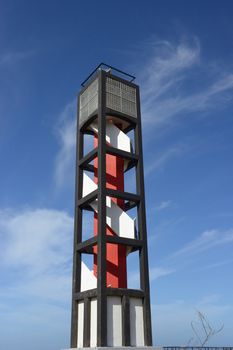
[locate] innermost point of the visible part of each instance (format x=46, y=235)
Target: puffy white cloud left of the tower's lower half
x=36, y=239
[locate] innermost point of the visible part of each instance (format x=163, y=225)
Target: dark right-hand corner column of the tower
x=144, y=268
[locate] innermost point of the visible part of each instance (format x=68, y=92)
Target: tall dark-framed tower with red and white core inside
x=105, y=312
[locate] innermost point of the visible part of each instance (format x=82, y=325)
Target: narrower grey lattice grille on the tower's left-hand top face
x=88, y=101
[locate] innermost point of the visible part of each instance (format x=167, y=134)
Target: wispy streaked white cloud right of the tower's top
x=165, y=92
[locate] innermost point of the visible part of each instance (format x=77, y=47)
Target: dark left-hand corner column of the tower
x=77, y=233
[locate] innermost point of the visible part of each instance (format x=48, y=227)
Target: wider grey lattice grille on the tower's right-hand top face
x=121, y=97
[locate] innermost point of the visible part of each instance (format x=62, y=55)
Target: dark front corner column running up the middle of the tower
x=101, y=250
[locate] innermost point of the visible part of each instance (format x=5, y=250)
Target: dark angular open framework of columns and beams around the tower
x=131, y=200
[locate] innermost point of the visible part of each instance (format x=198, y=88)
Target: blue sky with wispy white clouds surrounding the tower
x=182, y=54
